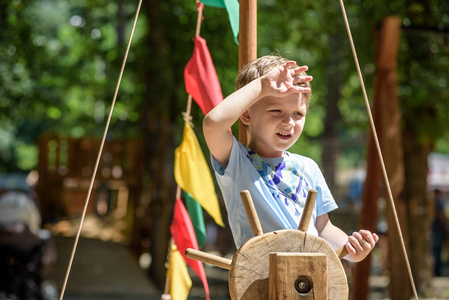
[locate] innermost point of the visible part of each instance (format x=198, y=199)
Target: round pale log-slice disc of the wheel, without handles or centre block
x=248, y=278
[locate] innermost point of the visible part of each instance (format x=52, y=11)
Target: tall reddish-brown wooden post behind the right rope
x=387, y=88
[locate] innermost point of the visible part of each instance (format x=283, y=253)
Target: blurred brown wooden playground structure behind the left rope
x=65, y=165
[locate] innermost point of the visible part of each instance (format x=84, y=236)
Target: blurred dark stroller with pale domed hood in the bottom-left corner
x=22, y=245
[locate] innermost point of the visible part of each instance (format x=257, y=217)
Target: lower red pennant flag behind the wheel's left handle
x=184, y=236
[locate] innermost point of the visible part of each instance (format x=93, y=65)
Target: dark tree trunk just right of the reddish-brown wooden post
x=418, y=143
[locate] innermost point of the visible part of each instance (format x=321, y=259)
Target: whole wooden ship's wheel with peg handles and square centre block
x=283, y=264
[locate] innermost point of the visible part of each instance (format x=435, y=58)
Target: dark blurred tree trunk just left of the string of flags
x=158, y=122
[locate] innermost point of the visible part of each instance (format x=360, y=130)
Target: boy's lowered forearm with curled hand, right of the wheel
x=359, y=244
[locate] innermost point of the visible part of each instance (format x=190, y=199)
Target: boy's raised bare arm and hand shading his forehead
x=280, y=81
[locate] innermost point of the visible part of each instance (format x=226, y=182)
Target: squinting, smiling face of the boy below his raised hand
x=275, y=124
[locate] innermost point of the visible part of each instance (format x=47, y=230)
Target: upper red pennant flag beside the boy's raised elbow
x=201, y=79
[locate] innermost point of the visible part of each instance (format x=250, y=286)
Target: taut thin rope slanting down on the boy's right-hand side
x=379, y=152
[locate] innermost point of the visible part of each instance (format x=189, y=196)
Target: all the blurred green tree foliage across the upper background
x=59, y=64
